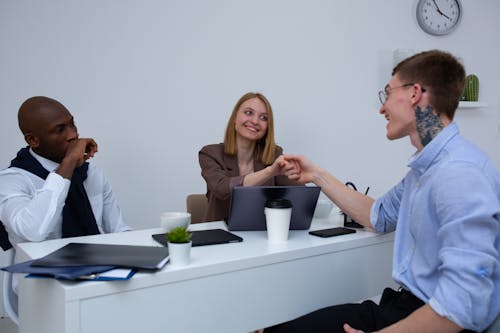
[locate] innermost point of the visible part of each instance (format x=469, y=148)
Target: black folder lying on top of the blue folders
x=127, y=256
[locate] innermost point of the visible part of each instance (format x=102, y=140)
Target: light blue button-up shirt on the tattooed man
x=447, y=214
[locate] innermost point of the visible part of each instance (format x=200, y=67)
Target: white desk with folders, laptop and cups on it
x=236, y=287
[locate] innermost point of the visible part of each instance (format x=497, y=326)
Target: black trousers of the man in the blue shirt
x=366, y=316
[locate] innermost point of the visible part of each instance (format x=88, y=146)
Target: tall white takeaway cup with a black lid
x=278, y=213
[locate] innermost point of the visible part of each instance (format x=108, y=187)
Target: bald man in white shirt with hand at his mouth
x=50, y=190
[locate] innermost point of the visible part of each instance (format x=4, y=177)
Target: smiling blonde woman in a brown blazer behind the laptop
x=249, y=155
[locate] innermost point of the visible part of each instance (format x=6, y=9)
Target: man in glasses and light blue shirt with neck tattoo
x=445, y=211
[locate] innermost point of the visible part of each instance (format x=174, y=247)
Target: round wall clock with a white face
x=438, y=17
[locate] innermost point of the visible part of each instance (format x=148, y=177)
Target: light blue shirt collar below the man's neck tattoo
x=427, y=156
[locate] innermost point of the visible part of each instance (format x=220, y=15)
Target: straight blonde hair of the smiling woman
x=265, y=147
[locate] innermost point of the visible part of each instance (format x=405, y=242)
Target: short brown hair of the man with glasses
x=440, y=73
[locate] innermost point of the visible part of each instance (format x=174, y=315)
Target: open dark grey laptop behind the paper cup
x=247, y=206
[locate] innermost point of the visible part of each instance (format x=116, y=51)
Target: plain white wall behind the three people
x=154, y=81
